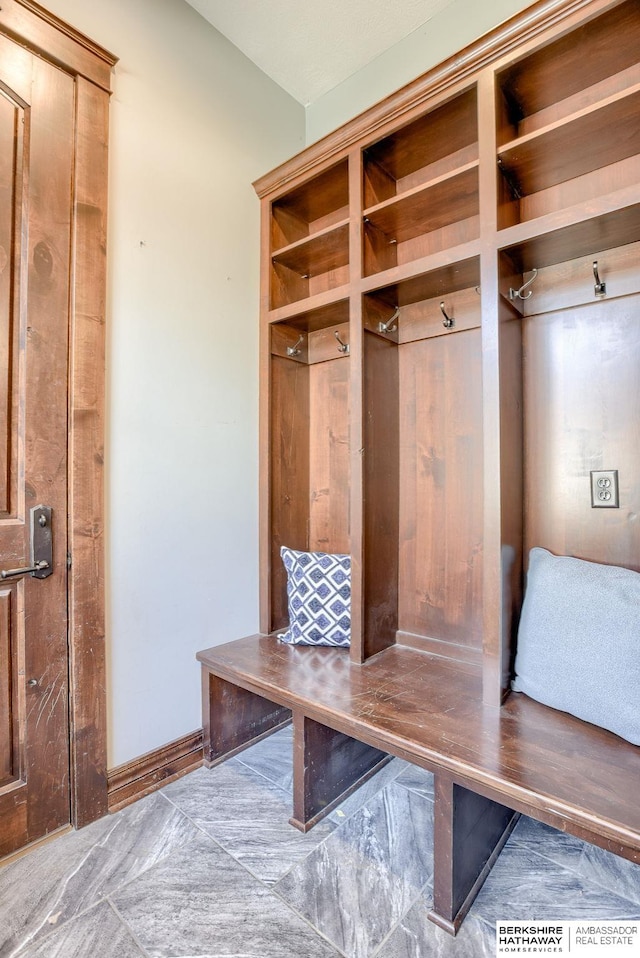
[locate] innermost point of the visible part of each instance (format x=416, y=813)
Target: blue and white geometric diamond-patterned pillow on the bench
x=319, y=595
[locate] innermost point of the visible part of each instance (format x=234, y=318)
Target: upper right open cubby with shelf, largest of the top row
x=567, y=119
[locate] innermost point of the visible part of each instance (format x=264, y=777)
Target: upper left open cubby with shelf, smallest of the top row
x=310, y=238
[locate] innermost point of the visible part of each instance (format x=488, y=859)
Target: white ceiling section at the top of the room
x=310, y=46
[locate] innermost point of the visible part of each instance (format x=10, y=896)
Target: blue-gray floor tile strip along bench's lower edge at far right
x=590, y=862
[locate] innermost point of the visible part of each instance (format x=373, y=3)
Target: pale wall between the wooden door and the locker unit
x=193, y=122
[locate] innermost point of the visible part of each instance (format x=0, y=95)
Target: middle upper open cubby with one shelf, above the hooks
x=421, y=186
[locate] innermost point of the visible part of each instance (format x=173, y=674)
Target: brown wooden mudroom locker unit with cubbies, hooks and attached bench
x=450, y=332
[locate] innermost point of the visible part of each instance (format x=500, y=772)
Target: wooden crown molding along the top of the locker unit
x=481, y=53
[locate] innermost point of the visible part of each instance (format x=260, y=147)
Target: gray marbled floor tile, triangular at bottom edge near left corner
x=98, y=933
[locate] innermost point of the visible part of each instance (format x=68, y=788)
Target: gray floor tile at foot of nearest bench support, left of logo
x=417, y=937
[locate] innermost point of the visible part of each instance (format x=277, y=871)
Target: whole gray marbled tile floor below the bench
x=209, y=867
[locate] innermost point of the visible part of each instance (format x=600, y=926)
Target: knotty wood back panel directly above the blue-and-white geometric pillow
x=329, y=456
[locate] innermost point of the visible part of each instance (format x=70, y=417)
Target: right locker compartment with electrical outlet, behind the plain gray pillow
x=575, y=403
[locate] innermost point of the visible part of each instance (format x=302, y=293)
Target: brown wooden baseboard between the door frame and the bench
x=141, y=776
